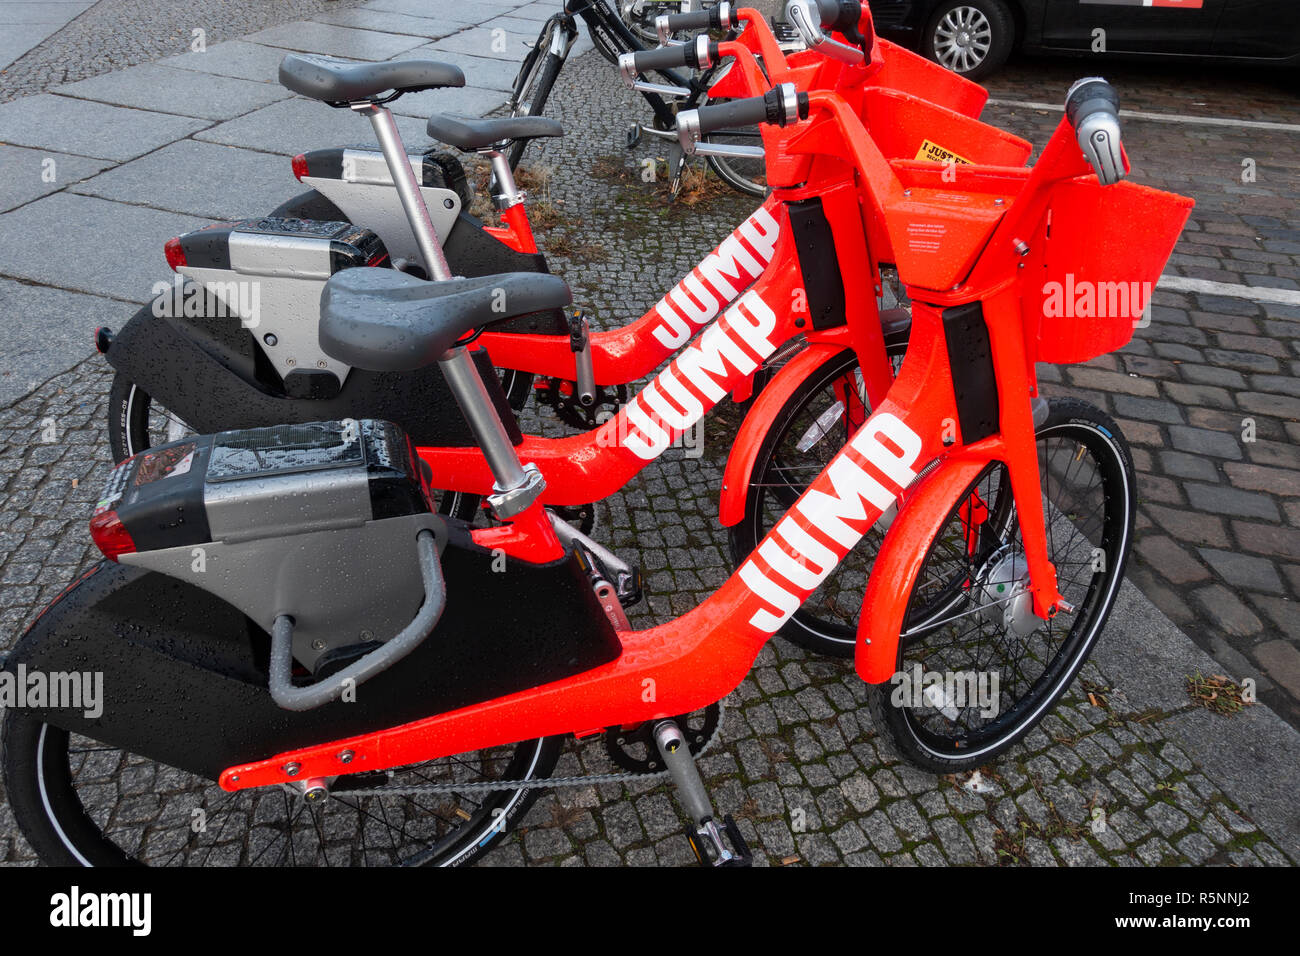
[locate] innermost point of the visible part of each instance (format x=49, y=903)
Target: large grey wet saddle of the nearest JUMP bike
x=385, y=321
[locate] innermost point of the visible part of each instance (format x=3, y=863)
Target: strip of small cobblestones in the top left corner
x=114, y=34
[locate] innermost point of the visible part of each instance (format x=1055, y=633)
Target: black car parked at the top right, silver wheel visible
x=976, y=37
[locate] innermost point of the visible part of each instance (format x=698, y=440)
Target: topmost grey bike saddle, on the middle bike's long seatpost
x=341, y=81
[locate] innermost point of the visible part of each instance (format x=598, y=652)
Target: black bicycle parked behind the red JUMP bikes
x=613, y=37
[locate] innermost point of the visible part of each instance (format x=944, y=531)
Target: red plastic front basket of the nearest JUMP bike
x=1095, y=262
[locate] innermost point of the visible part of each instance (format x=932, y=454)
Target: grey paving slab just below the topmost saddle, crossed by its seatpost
x=297, y=126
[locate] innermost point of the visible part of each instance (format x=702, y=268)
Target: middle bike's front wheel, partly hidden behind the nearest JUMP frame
x=805, y=435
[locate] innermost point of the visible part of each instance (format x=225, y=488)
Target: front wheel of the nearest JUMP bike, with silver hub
x=969, y=621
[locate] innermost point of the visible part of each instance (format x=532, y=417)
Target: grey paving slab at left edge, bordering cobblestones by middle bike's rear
x=33, y=351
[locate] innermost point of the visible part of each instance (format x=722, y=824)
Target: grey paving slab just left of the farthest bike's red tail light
x=219, y=183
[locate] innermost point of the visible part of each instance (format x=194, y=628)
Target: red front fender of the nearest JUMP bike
x=899, y=564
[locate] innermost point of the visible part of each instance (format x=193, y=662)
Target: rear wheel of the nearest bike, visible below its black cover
x=44, y=768
